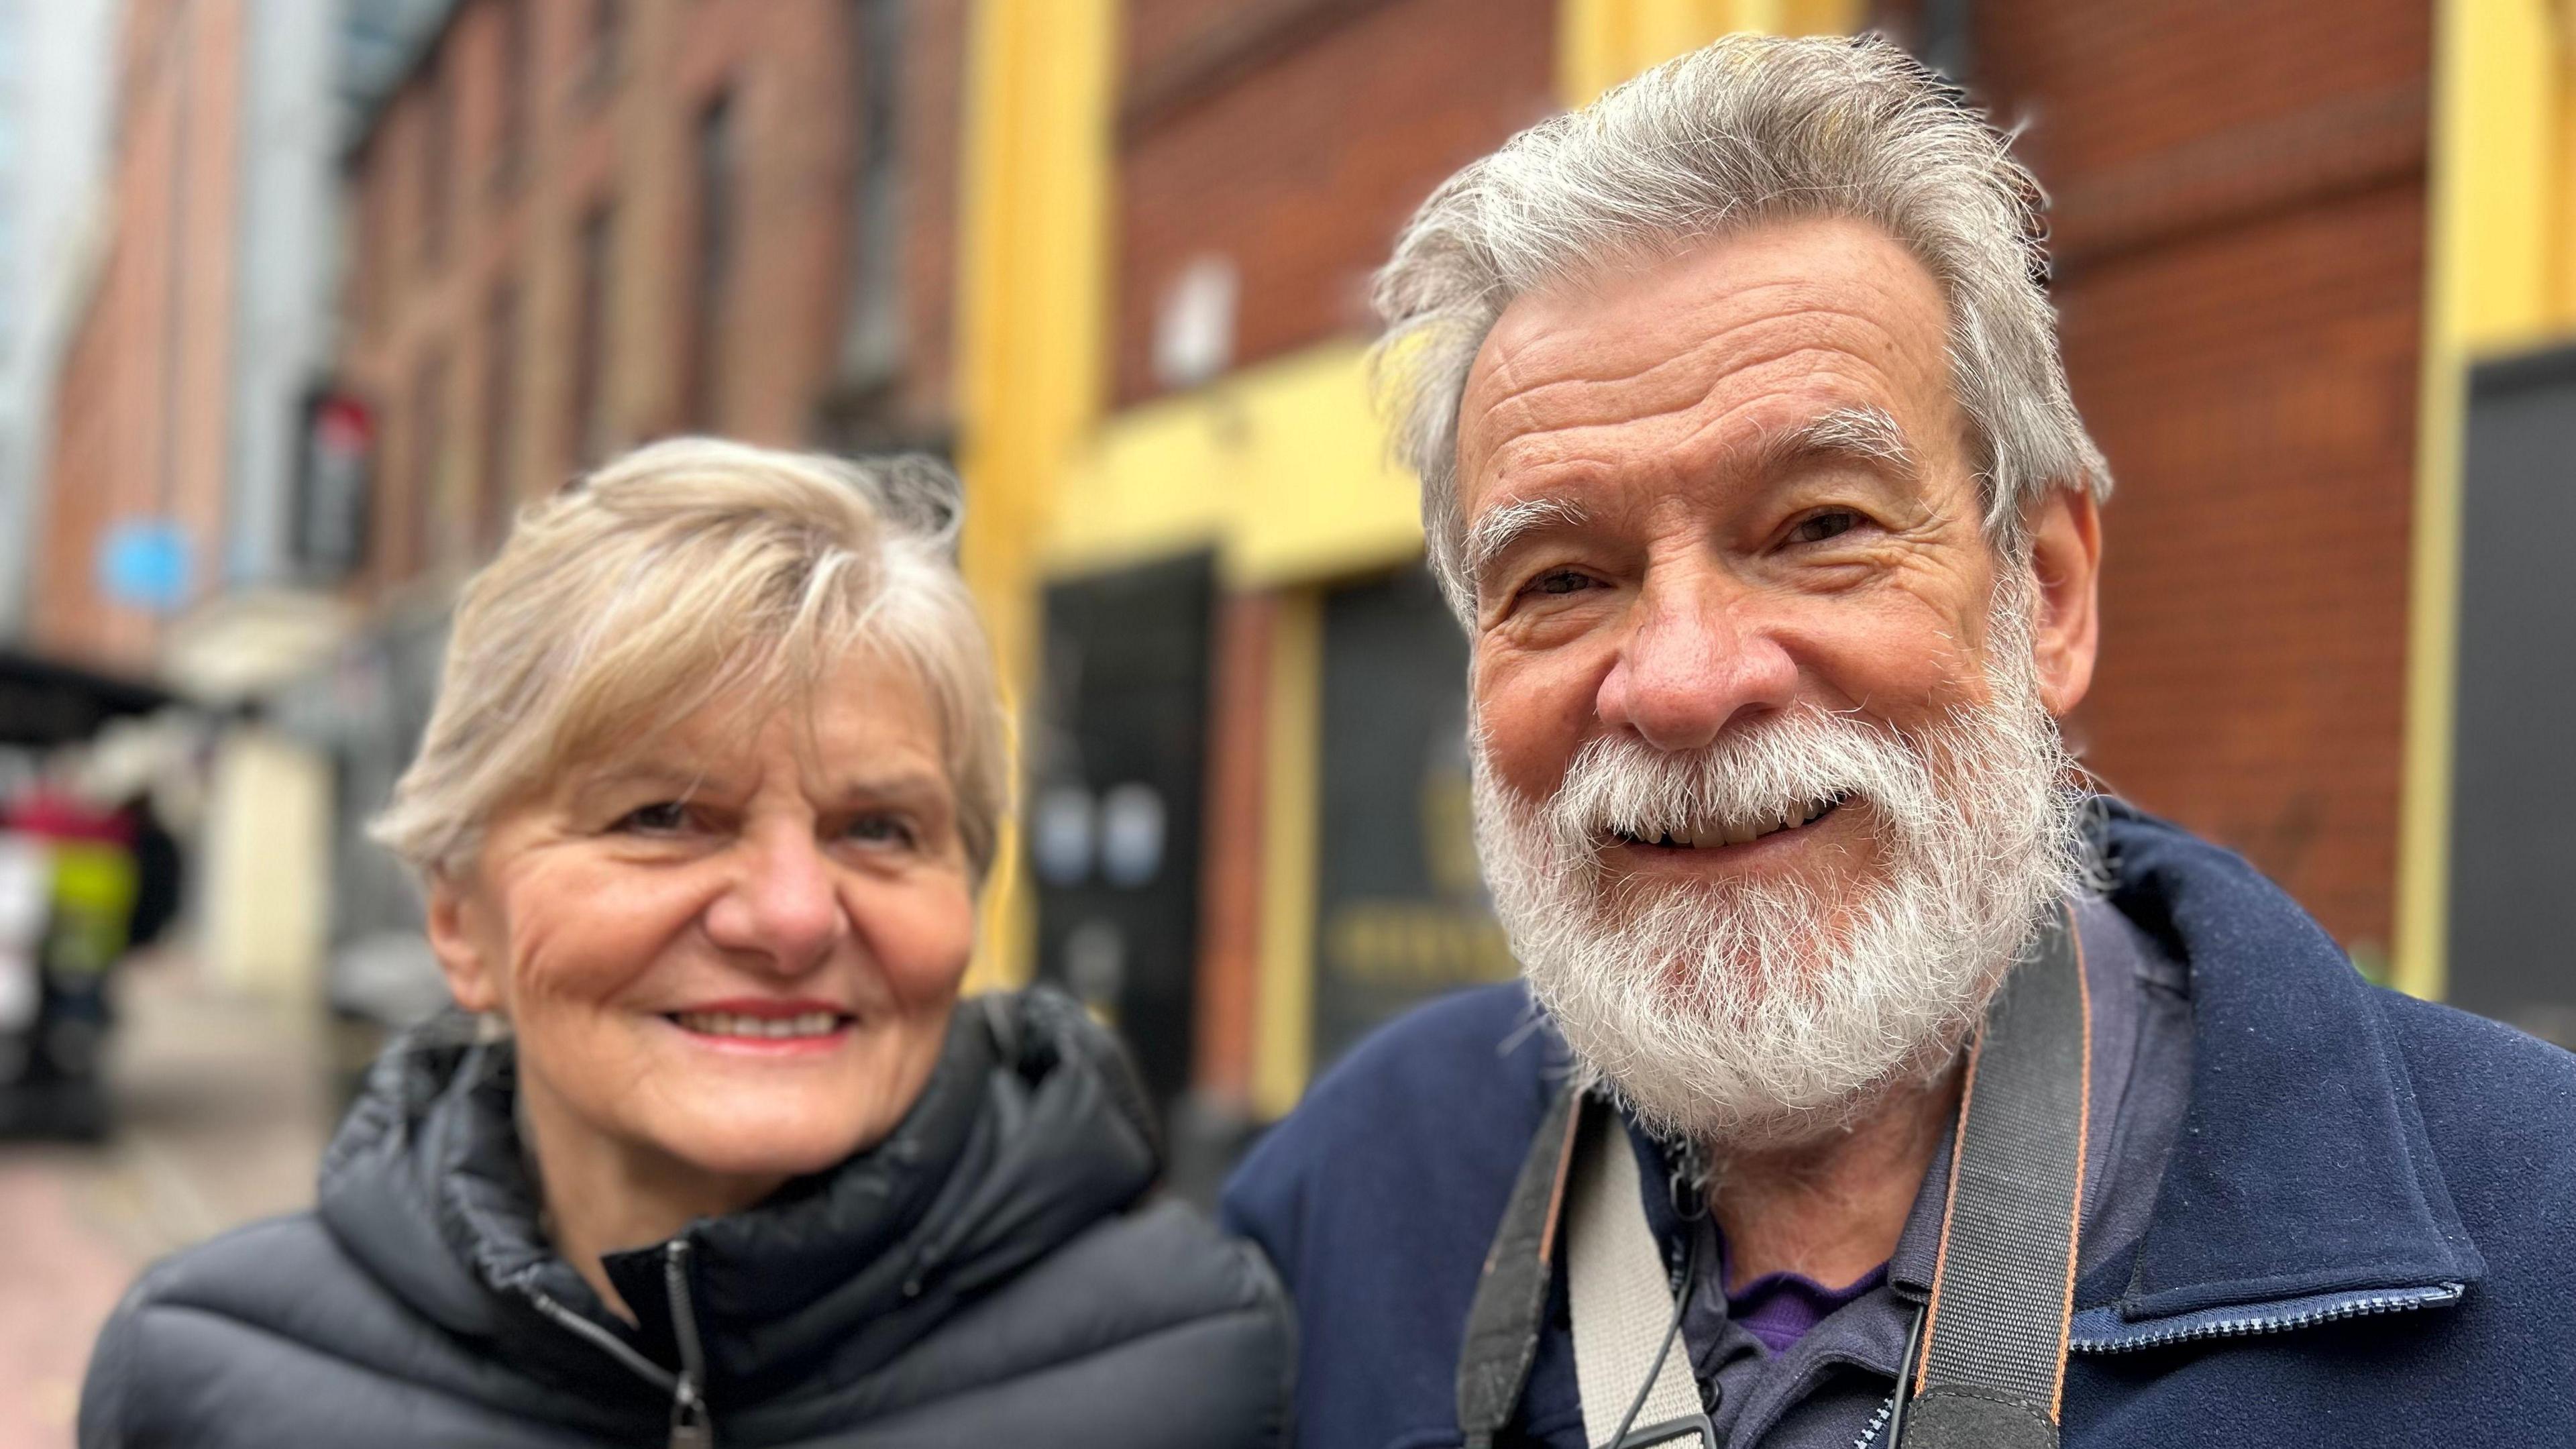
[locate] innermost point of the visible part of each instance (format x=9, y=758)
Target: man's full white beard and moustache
x=1758, y=1015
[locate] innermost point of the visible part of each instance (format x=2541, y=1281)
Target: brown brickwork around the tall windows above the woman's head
x=622, y=141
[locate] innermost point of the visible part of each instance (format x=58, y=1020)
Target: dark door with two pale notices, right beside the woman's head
x=1114, y=803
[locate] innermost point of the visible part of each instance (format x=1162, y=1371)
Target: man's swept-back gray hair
x=1745, y=130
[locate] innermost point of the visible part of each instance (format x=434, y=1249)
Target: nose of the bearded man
x=1696, y=659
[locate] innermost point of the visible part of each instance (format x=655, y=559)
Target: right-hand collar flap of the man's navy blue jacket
x=2302, y=1180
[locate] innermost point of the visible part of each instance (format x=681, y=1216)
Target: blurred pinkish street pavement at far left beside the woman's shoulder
x=220, y=1120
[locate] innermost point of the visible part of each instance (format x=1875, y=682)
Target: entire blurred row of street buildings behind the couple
x=300, y=300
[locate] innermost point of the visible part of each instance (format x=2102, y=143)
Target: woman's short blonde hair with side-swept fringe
x=684, y=574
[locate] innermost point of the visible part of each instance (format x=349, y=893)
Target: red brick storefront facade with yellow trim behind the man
x=2278, y=272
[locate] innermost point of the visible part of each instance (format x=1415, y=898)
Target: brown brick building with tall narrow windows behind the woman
x=578, y=228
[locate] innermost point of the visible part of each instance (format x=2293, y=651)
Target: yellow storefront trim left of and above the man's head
x=1279, y=468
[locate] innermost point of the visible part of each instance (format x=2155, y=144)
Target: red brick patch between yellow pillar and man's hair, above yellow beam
x=1294, y=138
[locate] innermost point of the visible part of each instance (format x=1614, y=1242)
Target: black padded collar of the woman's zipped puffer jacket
x=1029, y=1131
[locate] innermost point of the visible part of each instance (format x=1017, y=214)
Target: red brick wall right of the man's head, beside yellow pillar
x=2240, y=215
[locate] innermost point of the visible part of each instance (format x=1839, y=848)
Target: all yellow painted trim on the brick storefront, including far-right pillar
x=1282, y=468
